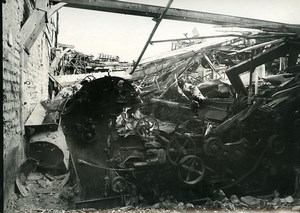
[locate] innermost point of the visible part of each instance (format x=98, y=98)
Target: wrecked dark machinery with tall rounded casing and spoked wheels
x=120, y=146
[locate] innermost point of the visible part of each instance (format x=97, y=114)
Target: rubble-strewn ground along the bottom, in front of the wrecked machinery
x=54, y=193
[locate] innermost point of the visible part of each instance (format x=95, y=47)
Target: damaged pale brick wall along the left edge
x=25, y=83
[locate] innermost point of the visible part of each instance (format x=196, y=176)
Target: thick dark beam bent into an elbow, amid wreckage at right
x=234, y=72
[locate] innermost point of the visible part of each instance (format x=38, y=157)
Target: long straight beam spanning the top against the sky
x=178, y=14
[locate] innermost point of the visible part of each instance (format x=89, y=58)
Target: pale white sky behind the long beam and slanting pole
x=94, y=32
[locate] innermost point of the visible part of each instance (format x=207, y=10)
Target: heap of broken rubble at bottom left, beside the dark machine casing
x=45, y=192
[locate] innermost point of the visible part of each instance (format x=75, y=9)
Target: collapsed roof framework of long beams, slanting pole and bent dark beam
x=273, y=40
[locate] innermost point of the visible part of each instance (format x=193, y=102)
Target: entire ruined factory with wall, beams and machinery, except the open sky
x=213, y=123
